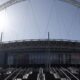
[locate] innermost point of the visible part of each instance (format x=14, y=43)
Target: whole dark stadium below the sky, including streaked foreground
x=40, y=60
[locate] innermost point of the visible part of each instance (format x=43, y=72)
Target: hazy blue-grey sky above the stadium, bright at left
x=33, y=19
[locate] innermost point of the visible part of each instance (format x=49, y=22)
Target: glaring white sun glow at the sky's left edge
x=3, y=21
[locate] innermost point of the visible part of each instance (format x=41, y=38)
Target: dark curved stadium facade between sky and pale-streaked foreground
x=39, y=52
